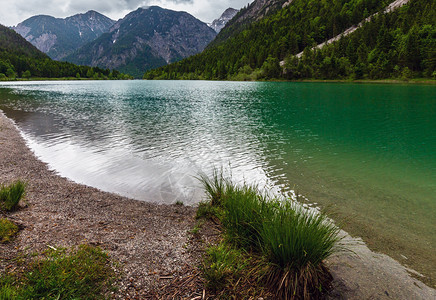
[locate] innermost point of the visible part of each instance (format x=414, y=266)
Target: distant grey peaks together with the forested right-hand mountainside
x=266, y=39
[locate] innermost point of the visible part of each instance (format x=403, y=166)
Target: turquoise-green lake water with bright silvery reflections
x=368, y=152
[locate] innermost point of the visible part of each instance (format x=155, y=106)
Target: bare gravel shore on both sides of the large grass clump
x=149, y=240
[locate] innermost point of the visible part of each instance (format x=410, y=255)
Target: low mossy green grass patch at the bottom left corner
x=85, y=273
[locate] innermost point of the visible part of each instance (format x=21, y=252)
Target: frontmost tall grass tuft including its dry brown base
x=296, y=242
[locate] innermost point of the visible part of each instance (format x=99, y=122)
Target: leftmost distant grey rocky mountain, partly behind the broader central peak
x=60, y=37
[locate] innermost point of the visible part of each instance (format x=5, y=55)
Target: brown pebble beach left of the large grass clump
x=146, y=240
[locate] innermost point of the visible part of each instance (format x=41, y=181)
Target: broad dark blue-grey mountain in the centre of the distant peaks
x=146, y=38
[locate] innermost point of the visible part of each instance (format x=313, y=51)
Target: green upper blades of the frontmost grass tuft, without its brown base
x=295, y=237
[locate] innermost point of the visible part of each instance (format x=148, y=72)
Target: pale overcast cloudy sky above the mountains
x=13, y=12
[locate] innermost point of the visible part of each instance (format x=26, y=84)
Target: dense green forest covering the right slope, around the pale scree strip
x=400, y=44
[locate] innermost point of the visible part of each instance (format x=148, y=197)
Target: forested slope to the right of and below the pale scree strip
x=398, y=44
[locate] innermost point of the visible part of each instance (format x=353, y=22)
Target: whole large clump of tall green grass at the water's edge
x=291, y=241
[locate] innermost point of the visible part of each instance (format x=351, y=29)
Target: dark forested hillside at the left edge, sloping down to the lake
x=20, y=59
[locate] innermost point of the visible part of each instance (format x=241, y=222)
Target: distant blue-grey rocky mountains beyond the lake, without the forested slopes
x=147, y=38
